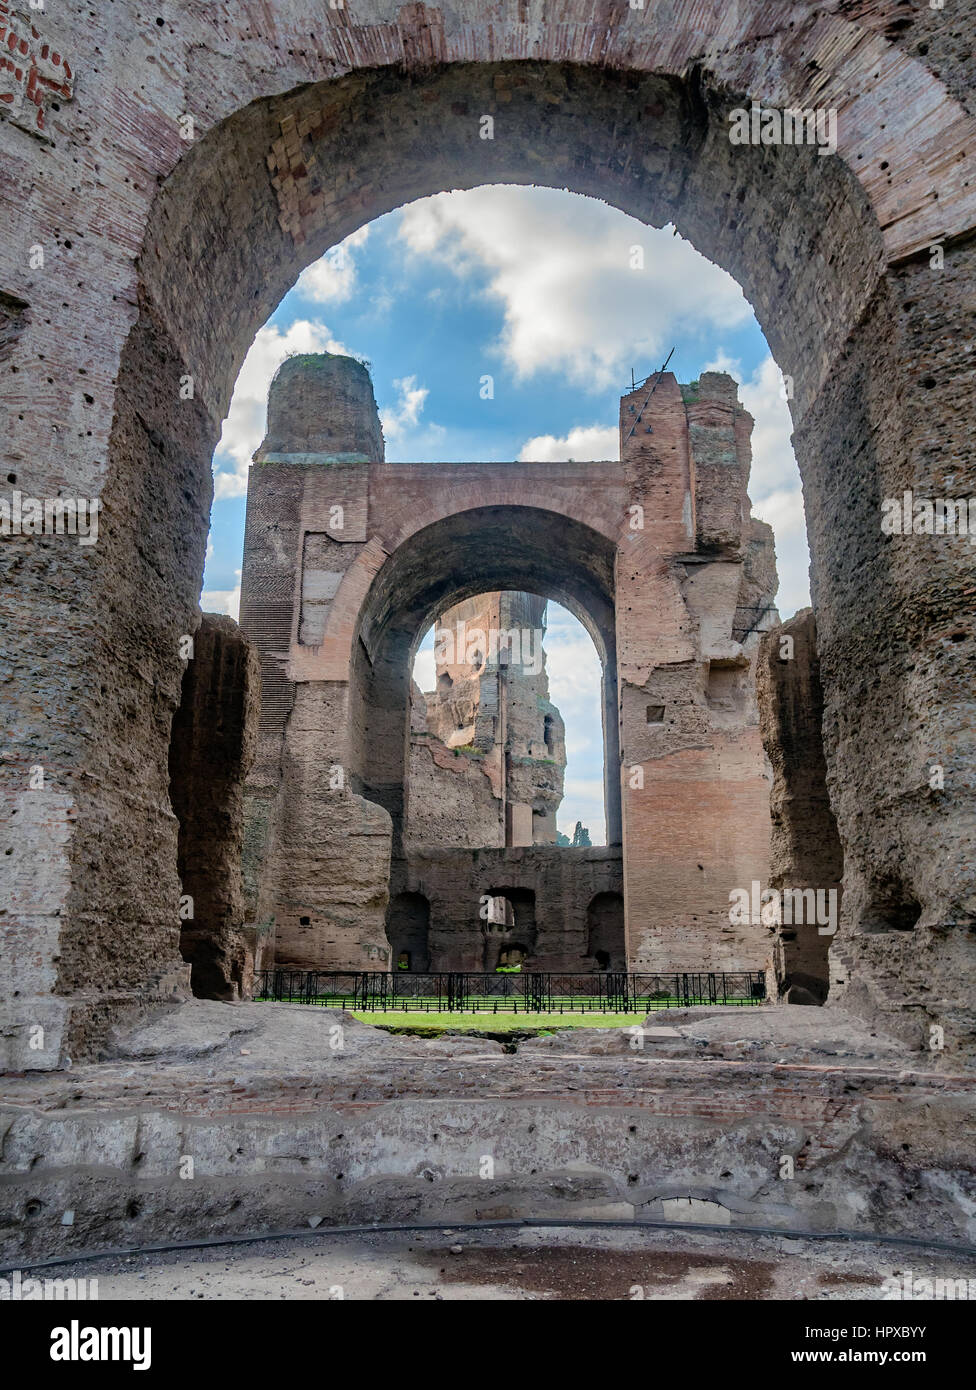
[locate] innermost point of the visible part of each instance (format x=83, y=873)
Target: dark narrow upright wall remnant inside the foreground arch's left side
x=212, y=751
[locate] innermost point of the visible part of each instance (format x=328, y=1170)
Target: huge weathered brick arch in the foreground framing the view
x=166, y=256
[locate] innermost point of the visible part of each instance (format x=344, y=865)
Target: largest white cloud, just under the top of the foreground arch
x=562, y=269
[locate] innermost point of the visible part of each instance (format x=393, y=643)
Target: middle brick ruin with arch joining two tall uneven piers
x=364, y=815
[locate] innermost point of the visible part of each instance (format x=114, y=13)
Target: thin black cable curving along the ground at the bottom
x=518, y=1223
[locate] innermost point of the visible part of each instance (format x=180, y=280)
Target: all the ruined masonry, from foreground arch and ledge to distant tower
x=165, y=180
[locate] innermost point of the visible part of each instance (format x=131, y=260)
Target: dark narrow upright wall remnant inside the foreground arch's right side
x=806, y=850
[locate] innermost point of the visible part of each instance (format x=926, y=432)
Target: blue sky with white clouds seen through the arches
x=557, y=298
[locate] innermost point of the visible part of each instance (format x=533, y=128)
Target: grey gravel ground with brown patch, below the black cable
x=504, y=1266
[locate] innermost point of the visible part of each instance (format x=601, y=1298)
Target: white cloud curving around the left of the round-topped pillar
x=245, y=423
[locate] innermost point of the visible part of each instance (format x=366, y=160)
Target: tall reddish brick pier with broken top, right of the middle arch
x=696, y=584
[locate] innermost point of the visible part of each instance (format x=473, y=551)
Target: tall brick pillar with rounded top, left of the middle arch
x=316, y=850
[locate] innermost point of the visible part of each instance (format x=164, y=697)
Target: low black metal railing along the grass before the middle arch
x=528, y=992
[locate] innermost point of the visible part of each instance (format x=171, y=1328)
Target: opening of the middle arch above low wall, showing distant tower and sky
x=507, y=728
